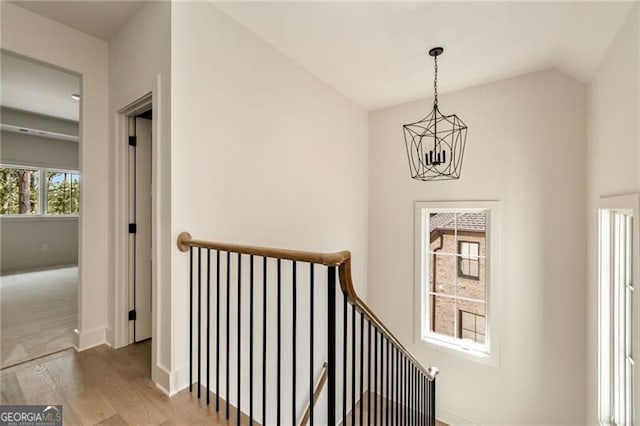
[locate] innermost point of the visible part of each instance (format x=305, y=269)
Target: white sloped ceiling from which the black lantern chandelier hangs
x=375, y=53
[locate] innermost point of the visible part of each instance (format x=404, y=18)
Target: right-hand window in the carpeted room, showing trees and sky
x=62, y=192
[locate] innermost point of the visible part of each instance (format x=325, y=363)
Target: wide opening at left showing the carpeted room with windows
x=40, y=183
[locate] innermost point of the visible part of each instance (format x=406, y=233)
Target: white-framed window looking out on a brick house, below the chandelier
x=455, y=251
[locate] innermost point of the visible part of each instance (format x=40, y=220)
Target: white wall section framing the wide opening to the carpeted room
x=33, y=36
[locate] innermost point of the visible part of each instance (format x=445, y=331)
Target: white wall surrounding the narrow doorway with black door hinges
x=140, y=63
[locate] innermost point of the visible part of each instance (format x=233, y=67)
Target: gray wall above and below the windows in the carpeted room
x=29, y=243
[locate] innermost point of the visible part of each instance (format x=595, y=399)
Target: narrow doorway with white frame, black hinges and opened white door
x=134, y=207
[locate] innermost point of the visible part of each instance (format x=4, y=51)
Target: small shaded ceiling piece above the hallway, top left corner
x=100, y=19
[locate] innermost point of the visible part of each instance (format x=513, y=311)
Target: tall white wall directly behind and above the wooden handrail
x=263, y=153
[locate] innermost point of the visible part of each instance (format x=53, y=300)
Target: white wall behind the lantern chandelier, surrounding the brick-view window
x=525, y=148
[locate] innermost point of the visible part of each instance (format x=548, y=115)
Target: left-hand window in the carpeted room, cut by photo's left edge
x=19, y=191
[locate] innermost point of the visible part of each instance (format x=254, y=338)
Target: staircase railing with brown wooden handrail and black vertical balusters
x=283, y=336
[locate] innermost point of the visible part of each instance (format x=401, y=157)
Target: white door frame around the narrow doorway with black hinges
x=121, y=221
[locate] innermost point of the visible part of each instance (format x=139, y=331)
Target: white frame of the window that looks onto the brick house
x=489, y=352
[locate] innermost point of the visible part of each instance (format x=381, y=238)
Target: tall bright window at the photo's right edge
x=617, y=334
